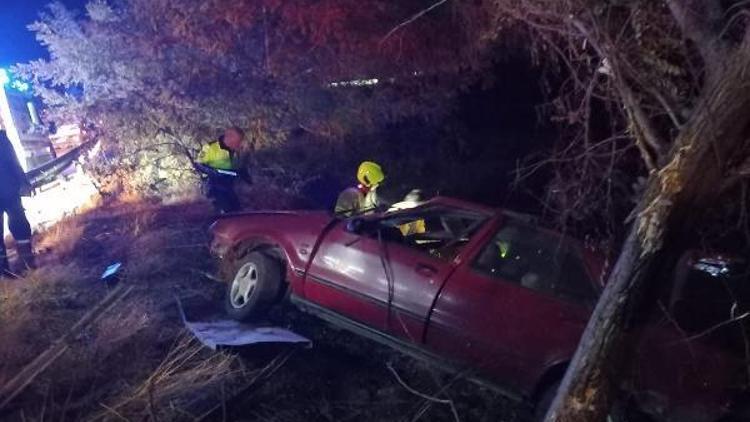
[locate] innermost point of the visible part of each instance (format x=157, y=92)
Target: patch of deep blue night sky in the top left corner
x=17, y=44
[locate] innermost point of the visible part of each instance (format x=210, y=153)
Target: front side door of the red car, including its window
x=388, y=274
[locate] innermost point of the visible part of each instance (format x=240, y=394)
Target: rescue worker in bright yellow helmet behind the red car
x=362, y=198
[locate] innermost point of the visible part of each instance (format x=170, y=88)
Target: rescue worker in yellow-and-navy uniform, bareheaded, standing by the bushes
x=221, y=162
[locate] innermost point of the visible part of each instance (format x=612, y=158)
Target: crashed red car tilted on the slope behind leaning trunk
x=480, y=290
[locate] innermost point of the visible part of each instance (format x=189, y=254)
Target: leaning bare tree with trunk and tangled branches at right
x=676, y=72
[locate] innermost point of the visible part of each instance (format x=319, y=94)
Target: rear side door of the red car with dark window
x=516, y=308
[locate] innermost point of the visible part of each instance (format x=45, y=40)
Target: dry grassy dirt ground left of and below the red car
x=136, y=362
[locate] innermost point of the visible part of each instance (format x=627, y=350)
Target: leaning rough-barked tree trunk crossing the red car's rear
x=714, y=139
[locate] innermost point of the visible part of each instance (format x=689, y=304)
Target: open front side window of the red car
x=440, y=231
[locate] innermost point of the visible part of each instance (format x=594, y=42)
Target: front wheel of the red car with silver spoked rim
x=254, y=286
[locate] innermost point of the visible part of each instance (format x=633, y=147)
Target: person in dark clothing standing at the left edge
x=13, y=184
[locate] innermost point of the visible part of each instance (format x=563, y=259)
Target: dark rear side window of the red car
x=536, y=260
